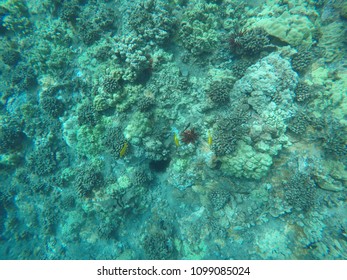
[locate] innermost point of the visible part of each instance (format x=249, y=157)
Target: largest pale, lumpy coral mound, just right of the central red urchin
x=252, y=155
